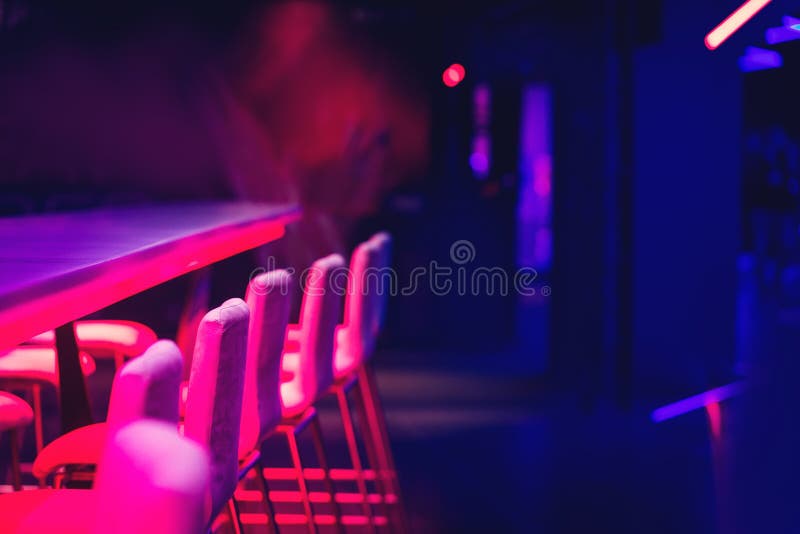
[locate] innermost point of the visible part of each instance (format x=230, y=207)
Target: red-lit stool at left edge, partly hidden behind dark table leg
x=27, y=368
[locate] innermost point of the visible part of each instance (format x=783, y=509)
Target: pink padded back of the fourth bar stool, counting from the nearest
x=268, y=299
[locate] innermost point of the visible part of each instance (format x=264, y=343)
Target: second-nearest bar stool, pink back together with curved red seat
x=146, y=387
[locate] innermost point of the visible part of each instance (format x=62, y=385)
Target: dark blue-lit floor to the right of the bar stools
x=497, y=452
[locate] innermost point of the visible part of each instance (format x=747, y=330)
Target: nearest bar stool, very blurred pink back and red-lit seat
x=149, y=479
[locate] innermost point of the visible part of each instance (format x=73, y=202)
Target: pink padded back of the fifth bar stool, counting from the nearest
x=319, y=315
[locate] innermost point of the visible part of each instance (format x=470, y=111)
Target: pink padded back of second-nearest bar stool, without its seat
x=147, y=386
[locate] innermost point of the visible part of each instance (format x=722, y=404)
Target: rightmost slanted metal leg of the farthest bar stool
x=376, y=421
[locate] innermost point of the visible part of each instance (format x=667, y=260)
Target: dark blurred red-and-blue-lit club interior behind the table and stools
x=650, y=184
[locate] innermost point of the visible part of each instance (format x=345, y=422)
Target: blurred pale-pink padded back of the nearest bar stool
x=151, y=480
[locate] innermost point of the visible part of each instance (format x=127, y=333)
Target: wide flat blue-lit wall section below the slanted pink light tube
x=688, y=109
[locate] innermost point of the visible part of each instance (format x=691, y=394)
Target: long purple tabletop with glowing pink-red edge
x=55, y=268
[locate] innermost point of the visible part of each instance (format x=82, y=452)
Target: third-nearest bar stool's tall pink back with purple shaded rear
x=214, y=399
